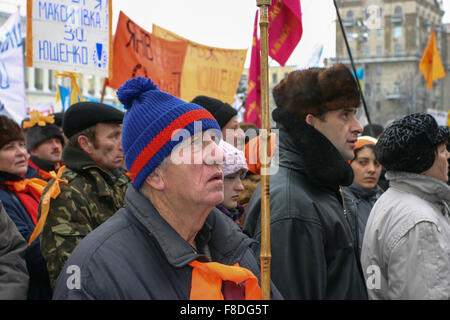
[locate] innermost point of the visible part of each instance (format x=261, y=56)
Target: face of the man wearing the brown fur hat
x=342, y=129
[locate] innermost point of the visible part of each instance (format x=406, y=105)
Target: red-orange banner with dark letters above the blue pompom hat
x=139, y=53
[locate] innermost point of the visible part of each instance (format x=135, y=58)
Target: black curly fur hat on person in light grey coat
x=409, y=144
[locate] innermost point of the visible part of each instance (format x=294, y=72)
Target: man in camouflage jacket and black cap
x=95, y=185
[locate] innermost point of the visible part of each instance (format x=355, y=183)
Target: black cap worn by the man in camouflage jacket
x=83, y=115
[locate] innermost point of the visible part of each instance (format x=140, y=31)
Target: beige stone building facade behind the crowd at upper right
x=387, y=40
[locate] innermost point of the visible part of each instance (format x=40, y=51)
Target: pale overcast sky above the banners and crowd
x=227, y=23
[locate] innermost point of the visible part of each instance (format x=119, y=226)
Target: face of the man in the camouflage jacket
x=107, y=151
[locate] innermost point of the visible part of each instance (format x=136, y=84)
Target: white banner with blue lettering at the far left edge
x=12, y=84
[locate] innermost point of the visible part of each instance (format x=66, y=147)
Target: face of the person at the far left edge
x=14, y=158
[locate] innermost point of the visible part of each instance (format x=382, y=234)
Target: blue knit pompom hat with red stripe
x=151, y=119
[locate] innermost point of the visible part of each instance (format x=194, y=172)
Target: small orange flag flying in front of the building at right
x=431, y=63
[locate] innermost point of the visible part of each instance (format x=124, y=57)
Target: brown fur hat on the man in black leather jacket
x=317, y=90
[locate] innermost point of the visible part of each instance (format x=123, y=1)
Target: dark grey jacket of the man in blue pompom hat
x=136, y=254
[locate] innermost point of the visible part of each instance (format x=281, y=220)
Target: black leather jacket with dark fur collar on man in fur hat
x=313, y=255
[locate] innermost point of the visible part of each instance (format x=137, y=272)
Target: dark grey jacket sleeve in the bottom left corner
x=13, y=269
